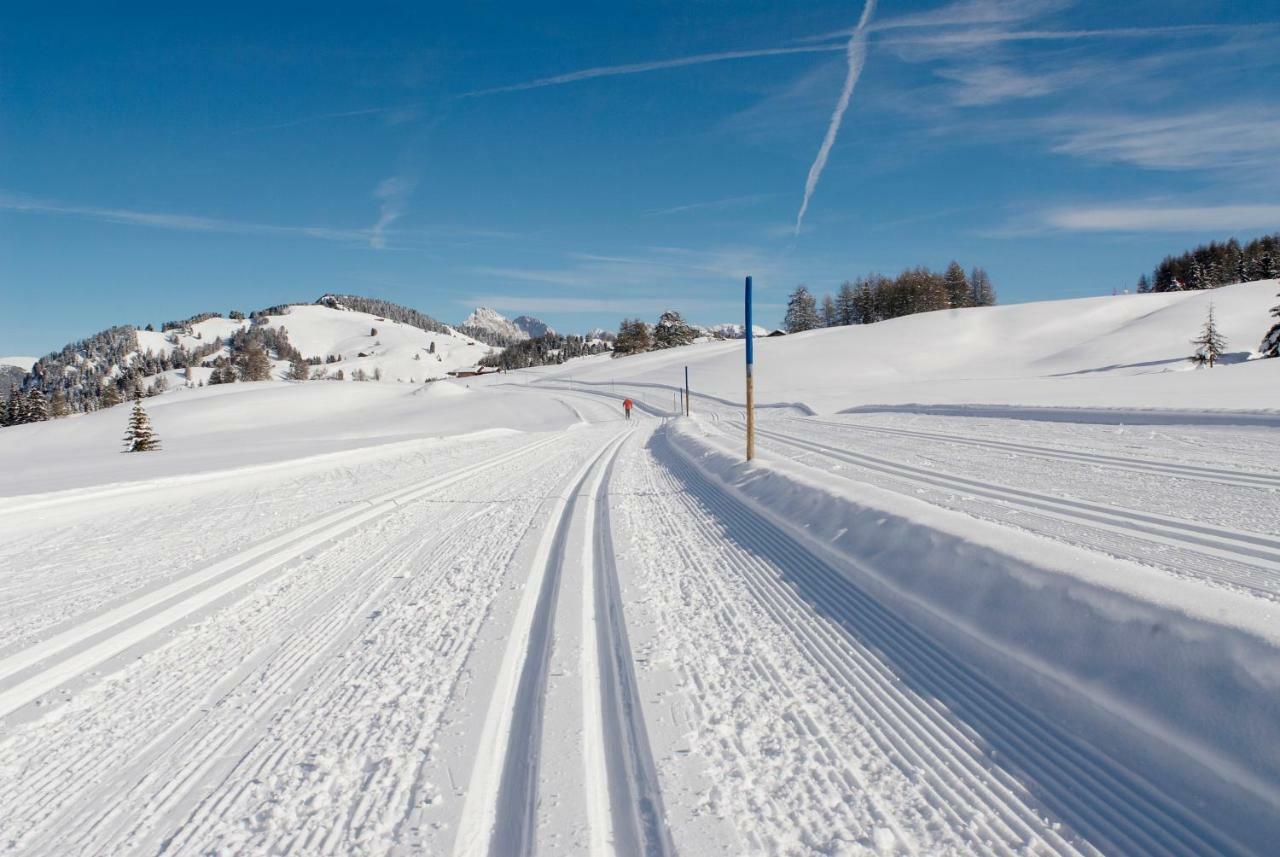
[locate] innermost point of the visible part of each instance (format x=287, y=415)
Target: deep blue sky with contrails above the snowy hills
x=582, y=162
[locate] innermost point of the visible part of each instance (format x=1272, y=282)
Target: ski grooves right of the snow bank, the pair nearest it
x=1245, y=560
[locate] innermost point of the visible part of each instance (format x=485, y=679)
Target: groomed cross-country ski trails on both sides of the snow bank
x=566, y=643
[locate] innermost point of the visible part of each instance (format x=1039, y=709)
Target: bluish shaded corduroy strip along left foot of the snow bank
x=844, y=629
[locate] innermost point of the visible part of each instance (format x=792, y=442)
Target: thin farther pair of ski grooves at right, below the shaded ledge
x=1224, y=476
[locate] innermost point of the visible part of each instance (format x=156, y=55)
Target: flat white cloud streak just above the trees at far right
x=1150, y=218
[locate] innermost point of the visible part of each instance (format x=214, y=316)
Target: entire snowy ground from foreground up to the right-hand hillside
x=493, y=617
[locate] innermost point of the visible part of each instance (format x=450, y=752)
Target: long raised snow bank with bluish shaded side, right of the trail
x=1162, y=673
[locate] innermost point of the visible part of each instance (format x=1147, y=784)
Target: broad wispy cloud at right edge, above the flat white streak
x=1217, y=140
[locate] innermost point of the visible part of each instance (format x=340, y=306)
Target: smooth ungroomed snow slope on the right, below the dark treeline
x=1121, y=352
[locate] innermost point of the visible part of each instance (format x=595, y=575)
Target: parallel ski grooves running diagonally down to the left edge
x=29, y=675
